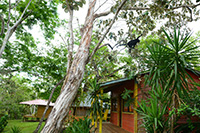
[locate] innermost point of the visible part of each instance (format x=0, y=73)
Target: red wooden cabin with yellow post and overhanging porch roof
x=126, y=117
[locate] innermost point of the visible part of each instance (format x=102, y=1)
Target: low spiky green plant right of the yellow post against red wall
x=155, y=111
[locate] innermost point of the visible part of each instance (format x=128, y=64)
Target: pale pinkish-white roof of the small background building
x=37, y=102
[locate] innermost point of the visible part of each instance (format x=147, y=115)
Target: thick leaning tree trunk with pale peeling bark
x=74, y=78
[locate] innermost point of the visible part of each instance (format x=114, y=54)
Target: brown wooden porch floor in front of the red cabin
x=108, y=127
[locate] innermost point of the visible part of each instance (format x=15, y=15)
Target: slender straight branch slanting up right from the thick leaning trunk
x=104, y=35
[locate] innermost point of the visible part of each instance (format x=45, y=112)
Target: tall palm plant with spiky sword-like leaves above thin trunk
x=168, y=61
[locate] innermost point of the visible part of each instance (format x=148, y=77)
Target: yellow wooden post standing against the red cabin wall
x=135, y=104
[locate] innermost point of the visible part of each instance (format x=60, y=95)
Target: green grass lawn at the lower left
x=26, y=127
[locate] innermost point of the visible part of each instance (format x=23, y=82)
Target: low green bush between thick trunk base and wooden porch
x=79, y=126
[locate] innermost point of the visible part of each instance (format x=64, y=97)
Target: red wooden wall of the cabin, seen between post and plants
x=128, y=119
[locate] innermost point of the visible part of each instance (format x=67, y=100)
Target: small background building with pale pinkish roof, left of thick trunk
x=37, y=108
